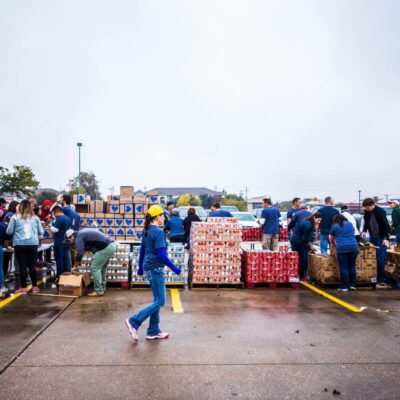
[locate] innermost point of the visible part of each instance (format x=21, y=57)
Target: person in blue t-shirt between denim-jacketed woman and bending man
x=61, y=243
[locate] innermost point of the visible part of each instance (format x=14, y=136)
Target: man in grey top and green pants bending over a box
x=103, y=248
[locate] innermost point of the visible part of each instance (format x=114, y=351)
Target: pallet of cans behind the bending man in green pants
x=118, y=265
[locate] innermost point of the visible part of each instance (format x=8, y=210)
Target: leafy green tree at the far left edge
x=20, y=181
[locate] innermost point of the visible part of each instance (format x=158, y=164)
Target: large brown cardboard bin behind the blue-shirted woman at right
x=324, y=268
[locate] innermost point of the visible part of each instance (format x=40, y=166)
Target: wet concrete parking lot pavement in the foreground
x=227, y=344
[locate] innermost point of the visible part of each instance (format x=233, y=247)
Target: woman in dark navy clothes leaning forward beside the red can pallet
x=302, y=240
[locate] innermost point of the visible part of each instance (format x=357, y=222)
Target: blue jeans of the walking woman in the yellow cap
x=156, y=279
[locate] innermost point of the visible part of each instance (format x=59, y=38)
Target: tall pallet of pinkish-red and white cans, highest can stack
x=215, y=251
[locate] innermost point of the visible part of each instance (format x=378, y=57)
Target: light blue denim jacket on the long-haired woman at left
x=25, y=232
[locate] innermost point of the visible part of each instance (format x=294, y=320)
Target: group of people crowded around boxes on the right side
x=330, y=227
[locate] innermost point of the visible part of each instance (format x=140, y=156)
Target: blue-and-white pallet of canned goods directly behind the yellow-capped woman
x=176, y=253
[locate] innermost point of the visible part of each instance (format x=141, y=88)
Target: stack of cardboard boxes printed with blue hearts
x=121, y=217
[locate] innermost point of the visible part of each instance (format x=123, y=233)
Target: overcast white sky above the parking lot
x=284, y=97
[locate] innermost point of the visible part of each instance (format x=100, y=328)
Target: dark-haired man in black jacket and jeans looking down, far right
x=377, y=225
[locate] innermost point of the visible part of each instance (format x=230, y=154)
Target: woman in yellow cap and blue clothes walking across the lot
x=153, y=257
